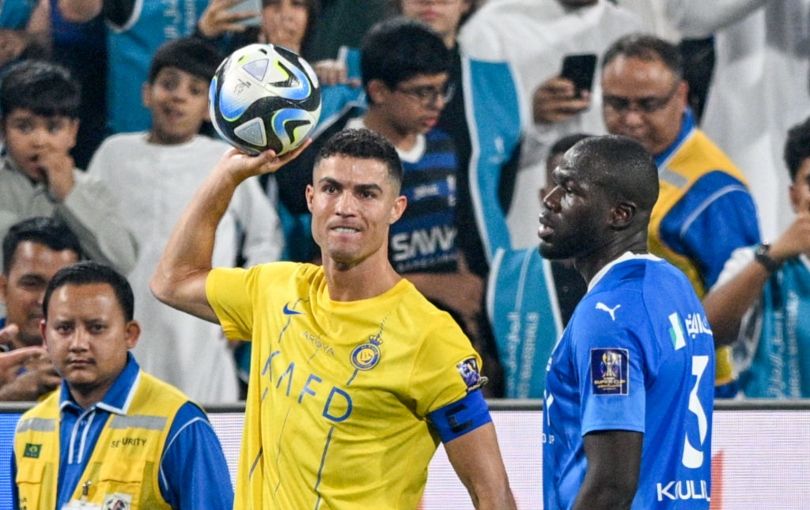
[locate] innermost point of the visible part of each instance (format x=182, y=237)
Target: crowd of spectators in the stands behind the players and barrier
x=472, y=96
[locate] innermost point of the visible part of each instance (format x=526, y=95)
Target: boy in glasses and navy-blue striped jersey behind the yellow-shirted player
x=405, y=72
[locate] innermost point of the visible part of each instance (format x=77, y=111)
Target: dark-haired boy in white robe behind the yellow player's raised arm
x=155, y=174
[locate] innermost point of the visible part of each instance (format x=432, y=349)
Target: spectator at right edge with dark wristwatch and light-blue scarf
x=761, y=303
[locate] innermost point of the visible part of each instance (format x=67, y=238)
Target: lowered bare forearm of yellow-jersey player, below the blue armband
x=476, y=458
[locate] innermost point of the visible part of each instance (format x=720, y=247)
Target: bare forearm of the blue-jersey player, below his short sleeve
x=614, y=458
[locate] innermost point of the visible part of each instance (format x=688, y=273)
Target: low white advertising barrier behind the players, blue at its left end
x=760, y=454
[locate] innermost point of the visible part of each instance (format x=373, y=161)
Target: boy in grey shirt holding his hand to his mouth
x=39, y=103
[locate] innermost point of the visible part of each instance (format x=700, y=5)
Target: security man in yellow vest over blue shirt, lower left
x=113, y=436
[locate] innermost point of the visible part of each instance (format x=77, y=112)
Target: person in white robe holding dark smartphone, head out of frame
x=535, y=38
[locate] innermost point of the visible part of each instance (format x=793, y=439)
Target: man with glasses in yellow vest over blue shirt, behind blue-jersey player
x=704, y=211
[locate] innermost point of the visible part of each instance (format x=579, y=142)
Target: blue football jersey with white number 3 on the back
x=637, y=355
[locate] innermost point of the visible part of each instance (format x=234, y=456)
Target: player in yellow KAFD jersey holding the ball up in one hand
x=355, y=377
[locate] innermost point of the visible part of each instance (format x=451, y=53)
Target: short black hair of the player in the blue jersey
x=622, y=167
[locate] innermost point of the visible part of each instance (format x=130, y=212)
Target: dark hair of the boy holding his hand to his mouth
x=45, y=88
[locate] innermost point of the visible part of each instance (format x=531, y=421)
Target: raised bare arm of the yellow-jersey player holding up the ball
x=179, y=279
